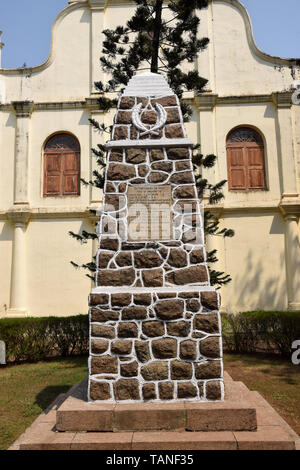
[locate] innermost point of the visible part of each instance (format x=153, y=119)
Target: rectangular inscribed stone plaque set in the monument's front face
x=150, y=213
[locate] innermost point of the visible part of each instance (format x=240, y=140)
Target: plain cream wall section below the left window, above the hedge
x=53, y=285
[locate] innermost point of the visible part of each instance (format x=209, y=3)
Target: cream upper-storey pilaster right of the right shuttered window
x=283, y=103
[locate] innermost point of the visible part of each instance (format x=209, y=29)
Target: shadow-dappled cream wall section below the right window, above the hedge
x=256, y=263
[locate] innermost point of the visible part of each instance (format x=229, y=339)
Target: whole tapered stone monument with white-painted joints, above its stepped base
x=155, y=331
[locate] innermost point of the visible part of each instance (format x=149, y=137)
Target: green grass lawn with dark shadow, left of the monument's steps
x=26, y=390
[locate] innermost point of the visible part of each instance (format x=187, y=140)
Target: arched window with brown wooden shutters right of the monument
x=245, y=160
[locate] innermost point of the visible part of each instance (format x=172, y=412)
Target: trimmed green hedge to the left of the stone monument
x=34, y=339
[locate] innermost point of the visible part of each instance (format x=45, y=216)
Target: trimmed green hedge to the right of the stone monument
x=268, y=332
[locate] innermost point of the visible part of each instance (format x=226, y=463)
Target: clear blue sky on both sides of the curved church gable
x=26, y=26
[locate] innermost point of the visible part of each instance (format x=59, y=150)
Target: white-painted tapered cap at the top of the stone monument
x=148, y=84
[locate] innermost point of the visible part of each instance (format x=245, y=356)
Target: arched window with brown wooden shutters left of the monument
x=62, y=166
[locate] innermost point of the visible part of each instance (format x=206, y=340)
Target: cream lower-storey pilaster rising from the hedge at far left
x=19, y=219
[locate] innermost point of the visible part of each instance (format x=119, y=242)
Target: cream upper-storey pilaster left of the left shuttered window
x=23, y=110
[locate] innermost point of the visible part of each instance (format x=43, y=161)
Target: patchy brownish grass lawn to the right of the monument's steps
x=277, y=380
